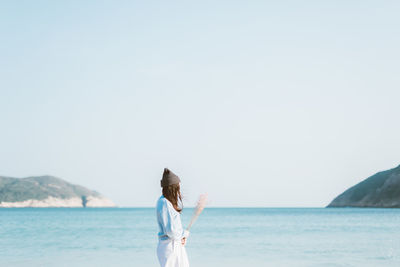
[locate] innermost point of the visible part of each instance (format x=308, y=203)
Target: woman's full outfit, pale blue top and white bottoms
x=170, y=251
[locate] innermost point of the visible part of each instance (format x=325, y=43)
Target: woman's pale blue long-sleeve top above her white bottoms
x=169, y=221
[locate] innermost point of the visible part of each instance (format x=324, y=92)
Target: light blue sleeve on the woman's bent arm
x=169, y=220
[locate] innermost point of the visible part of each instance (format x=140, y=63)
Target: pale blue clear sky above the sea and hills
x=257, y=103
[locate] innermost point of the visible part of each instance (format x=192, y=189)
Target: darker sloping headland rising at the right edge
x=381, y=190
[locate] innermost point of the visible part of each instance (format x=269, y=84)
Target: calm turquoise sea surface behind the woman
x=221, y=237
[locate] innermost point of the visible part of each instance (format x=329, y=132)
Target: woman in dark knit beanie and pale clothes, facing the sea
x=171, y=237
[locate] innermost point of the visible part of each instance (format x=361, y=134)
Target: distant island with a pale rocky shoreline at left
x=47, y=191
